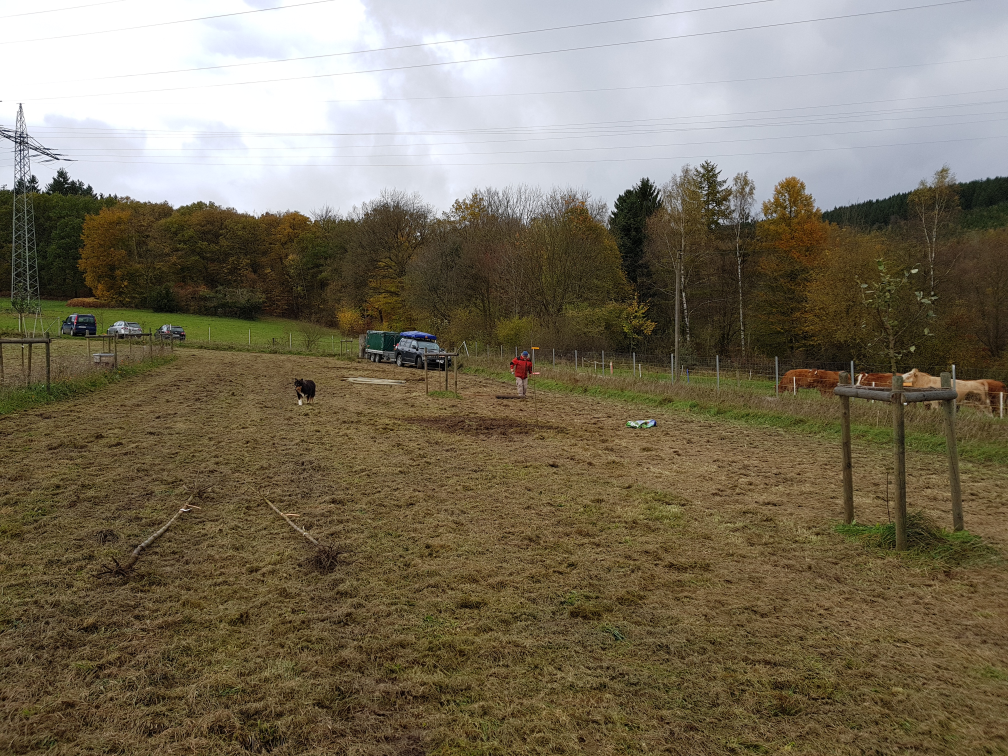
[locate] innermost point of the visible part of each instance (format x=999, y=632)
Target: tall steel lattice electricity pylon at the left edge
x=25, y=297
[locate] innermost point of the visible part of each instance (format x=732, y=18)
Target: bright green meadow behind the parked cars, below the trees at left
x=266, y=333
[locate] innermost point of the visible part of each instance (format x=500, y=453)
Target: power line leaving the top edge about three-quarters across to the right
x=414, y=46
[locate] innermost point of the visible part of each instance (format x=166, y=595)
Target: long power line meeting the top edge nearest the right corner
x=516, y=56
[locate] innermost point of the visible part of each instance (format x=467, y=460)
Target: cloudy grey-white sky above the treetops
x=303, y=104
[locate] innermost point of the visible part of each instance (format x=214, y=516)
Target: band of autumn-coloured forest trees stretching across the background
x=920, y=279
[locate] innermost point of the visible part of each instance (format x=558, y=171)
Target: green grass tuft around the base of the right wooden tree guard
x=926, y=540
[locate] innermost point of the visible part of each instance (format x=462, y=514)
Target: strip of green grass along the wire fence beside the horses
x=972, y=451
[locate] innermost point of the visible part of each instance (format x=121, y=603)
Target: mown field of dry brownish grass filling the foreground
x=511, y=578
